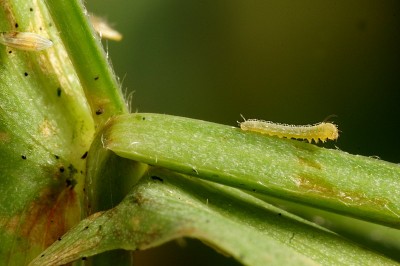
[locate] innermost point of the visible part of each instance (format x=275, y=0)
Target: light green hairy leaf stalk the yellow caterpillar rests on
x=333, y=180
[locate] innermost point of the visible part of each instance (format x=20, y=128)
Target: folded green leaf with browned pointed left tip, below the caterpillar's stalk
x=165, y=205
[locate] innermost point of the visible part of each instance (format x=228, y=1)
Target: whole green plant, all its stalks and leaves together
x=61, y=161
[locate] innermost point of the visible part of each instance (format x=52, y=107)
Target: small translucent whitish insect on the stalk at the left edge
x=27, y=41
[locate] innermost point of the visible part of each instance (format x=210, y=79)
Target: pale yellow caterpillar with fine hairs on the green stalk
x=318, y=132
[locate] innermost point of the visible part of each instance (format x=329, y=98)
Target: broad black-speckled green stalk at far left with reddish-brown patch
x=45, y=128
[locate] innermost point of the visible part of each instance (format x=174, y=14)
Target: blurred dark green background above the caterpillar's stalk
x=286, y=61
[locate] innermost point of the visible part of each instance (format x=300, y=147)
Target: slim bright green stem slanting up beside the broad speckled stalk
x=89, y=59
